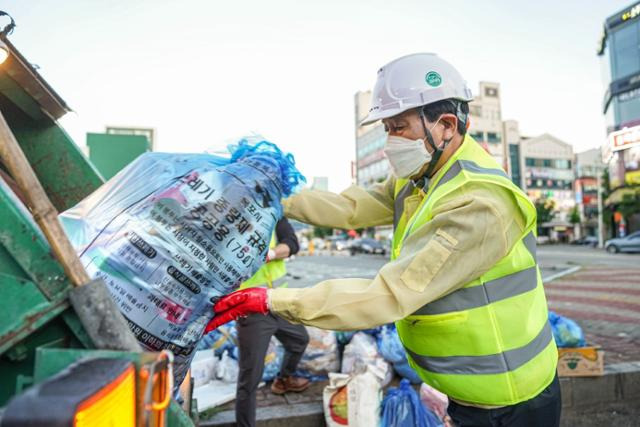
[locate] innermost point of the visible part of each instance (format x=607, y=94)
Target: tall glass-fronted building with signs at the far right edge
x=620, y=53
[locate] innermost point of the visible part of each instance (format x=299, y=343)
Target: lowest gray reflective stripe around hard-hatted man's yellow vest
x=507, y=361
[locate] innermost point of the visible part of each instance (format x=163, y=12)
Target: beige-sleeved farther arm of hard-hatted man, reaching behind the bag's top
x=353, y=208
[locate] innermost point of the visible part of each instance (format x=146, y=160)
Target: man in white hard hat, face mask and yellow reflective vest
x=463, y=284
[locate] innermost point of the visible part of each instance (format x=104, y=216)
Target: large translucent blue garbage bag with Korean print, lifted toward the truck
x=172, y=233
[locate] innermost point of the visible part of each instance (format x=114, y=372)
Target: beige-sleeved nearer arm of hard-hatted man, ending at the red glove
x=468, y=234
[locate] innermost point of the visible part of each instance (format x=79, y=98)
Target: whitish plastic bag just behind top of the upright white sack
x=363, y=350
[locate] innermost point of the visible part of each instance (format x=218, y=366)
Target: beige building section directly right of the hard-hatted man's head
x=486, y=125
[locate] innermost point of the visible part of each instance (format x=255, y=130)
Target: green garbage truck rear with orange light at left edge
x=52, y=370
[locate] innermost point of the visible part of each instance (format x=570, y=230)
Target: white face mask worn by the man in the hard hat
x=406, y=156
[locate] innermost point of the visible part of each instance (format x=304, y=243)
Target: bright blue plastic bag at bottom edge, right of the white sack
x=401, y=407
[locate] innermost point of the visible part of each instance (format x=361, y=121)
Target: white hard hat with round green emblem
x=413, y=81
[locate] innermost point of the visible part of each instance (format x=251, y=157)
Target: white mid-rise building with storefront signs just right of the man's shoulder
x=547, y=165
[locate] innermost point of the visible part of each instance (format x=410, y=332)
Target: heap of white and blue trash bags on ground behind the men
x=358, y=366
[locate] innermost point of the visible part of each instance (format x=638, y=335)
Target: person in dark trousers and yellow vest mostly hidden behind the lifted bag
x=255, y=332
